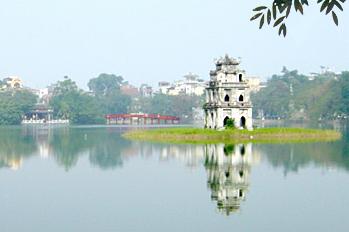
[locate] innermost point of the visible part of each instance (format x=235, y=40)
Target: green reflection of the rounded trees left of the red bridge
x=103, y=146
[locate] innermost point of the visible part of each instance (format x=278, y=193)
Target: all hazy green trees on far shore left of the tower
x=68, y=101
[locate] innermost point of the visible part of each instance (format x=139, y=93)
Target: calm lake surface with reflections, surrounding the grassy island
x=91, y=179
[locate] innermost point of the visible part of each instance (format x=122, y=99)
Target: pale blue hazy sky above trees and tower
x=154, y=40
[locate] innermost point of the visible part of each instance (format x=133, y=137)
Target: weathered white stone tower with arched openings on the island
x=228, y=96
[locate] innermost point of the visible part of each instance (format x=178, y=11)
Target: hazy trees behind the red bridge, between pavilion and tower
x=106, y=97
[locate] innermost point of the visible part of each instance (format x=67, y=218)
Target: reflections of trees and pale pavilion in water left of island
x=66, y=145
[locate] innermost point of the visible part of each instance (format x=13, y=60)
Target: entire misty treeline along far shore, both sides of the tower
x=287, y=96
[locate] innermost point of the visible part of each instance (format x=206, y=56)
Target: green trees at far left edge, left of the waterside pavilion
x=13, y=105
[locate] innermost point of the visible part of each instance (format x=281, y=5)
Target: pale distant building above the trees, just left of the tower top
x=191, y=85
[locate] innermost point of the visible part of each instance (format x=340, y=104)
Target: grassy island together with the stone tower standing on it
x=228, y=116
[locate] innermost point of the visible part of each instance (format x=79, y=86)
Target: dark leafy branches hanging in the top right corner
x=280, y=10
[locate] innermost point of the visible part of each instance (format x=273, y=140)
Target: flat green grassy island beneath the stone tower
x=263, y=135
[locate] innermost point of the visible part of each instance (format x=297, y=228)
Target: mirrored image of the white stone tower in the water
x=228, y=169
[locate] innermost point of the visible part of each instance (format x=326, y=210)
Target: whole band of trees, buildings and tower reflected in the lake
x=228, y=167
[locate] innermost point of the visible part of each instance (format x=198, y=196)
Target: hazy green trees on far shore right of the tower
x=295, y=96
